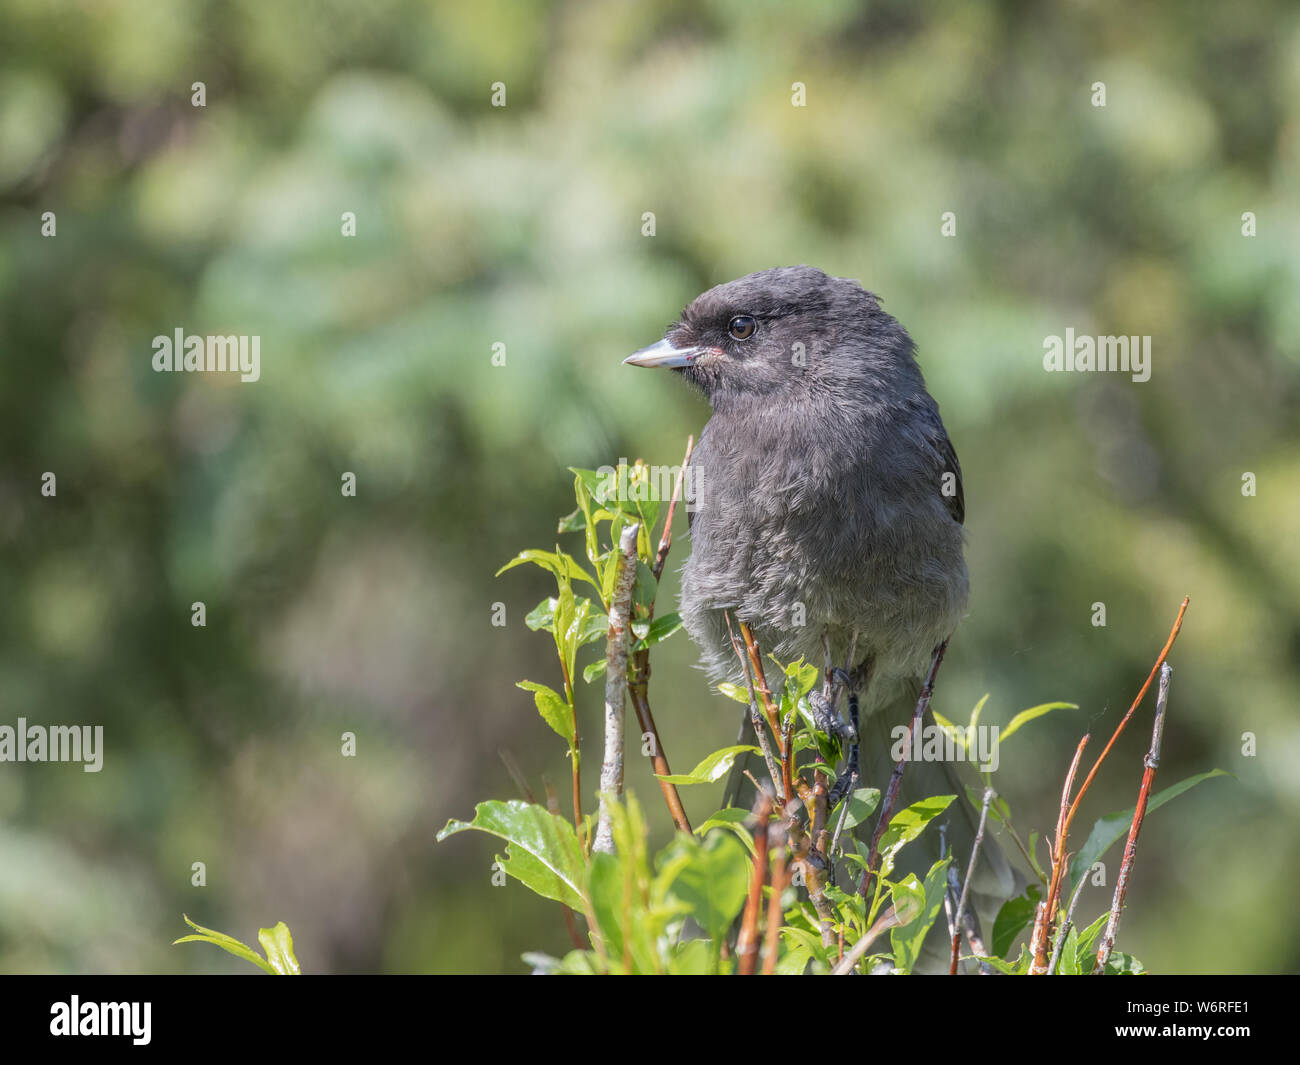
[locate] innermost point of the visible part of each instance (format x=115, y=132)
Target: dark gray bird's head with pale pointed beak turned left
x=778, y=334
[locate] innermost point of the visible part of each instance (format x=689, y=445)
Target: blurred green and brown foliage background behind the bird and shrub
x=523, y=226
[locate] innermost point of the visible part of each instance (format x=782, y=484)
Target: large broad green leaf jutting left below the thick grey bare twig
x=545, y=855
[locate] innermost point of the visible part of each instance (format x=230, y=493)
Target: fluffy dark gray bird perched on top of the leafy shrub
x=829, y=499
